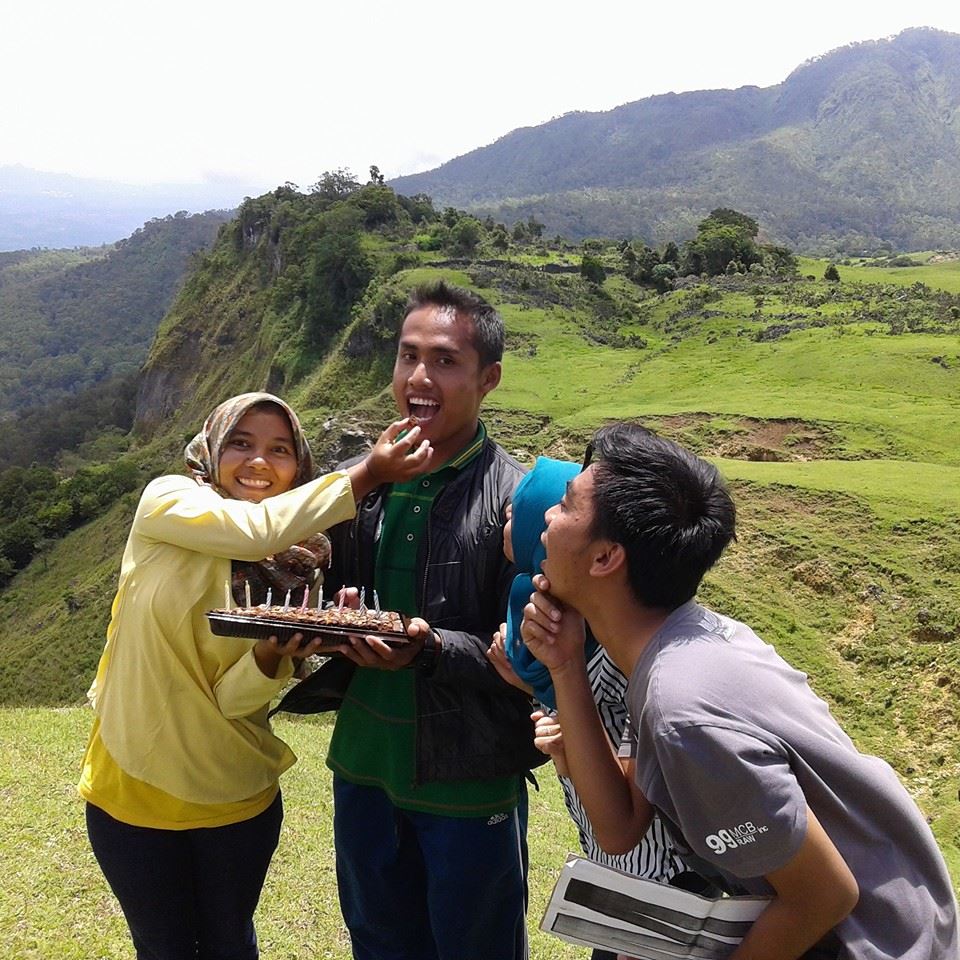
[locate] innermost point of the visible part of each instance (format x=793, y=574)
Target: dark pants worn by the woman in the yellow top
x=188, y=894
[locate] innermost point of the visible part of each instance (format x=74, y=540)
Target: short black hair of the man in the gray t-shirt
x=669, y=509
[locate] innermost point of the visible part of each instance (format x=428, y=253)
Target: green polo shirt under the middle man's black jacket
x=374, y=740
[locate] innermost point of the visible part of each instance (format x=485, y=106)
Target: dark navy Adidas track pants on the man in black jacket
x=417, y=886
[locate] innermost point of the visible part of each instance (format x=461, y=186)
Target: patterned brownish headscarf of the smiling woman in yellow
x=294, y=568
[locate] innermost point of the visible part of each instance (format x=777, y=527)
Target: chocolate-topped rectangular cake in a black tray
x=333, y=624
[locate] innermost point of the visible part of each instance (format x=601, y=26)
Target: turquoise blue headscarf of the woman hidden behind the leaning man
x=539, y=490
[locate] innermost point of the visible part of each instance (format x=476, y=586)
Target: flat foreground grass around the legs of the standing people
x=54, y=901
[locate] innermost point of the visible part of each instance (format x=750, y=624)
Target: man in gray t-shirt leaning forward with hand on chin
x=727, y=742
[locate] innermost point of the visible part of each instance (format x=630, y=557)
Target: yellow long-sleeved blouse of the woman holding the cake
x=180, y=710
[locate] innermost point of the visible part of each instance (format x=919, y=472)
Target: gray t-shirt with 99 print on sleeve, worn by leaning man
x=731, y=745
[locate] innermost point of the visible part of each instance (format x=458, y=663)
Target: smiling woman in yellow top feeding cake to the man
x=181, y=771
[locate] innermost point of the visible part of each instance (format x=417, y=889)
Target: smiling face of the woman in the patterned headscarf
x=259, y=459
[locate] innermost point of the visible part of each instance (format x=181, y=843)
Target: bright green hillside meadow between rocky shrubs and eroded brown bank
x=877, y=395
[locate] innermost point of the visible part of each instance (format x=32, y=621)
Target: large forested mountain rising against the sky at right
x=856, y=150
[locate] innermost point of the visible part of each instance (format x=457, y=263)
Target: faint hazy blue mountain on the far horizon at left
x=39, y=209
